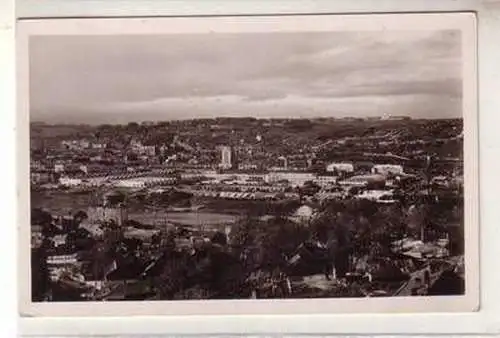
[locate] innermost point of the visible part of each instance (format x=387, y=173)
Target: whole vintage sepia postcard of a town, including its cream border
x=248, y=165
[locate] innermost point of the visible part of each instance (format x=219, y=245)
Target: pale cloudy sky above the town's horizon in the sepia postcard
x=94, y=79
